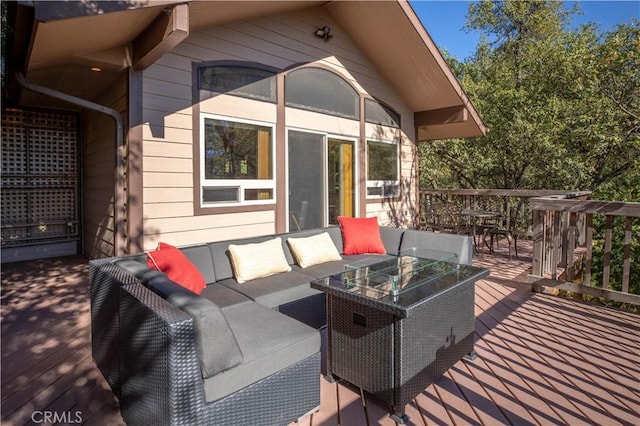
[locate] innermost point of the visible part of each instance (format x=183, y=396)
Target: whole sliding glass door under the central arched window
x=321, y=179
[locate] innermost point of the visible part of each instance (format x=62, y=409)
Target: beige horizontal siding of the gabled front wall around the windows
x=280, y=41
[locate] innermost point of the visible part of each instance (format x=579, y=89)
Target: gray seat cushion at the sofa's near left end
x=269, y=342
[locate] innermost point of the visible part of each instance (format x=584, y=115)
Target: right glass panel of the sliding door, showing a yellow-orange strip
x=340, y=179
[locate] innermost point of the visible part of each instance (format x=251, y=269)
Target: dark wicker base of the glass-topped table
x=395, y=357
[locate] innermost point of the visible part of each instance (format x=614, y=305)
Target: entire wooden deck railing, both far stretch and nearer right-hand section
x=561, y=225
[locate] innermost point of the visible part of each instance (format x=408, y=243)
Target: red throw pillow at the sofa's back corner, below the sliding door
x=361, y=235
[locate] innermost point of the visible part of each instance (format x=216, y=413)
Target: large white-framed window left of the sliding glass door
x=237, y=162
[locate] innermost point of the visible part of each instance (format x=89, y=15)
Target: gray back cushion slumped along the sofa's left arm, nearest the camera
x=218, y=349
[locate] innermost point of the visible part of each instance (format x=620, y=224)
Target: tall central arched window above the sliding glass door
x=320, y=90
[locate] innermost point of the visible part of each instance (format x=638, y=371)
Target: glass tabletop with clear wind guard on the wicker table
x=397, y=283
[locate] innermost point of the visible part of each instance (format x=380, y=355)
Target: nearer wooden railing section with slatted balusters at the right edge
x=564, y=246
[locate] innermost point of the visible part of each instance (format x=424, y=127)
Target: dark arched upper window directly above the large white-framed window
x=241, y=79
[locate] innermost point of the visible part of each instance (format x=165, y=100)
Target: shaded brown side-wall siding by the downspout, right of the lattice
x=98, y=174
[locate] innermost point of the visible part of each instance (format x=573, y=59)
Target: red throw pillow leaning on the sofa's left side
x=176, y=266
